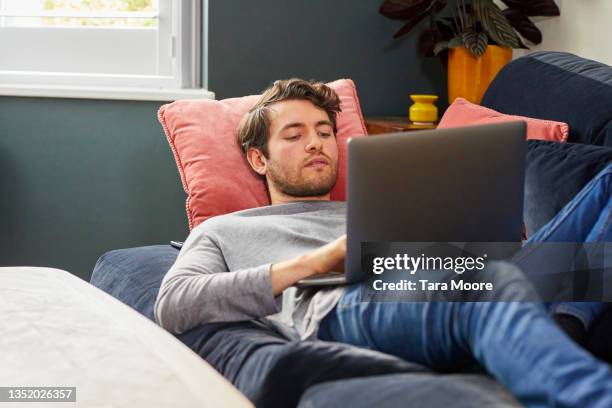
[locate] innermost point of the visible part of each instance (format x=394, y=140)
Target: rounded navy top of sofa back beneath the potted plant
x=557, y=86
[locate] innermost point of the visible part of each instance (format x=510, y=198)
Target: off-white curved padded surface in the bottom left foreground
x=58, y=330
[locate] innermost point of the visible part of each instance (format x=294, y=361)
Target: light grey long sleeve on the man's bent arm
x=199, y=289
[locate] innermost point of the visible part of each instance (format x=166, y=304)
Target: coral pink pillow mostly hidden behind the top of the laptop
x=464, y=113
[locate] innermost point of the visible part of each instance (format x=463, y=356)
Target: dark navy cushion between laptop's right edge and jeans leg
x=554, y=174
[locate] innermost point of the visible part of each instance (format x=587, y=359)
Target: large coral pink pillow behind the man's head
x=214, y=173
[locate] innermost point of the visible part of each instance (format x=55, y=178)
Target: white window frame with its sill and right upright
x=186, y=59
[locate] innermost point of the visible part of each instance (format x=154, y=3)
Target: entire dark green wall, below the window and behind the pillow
x=80, y=177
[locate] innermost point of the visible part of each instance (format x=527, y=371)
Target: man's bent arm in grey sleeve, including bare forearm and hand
x=199, y=289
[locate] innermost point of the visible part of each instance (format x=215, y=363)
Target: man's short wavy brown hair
x=254, y=129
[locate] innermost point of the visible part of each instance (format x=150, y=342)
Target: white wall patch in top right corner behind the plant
x=584, y=28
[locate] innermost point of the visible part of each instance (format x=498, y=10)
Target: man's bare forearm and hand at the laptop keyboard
x=328, y=258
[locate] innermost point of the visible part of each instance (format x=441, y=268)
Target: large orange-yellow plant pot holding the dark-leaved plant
x=468, y=76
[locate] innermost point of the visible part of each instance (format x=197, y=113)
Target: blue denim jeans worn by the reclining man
x=515, y=341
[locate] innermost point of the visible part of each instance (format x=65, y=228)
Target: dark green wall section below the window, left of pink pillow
x=80, y=177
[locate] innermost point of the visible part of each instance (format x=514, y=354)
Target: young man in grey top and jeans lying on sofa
x=242, y=266
